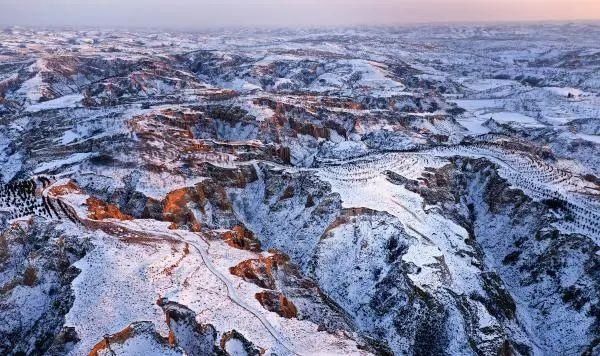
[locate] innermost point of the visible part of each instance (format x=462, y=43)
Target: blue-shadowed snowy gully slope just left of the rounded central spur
x=298, y=198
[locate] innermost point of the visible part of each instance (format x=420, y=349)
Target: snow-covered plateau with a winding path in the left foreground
x=121, y=279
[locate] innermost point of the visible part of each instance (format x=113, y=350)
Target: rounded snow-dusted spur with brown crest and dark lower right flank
x=378, y=294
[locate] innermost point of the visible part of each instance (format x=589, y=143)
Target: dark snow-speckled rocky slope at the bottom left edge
x=36, y=264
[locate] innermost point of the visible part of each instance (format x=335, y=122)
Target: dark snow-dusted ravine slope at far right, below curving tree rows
x=525, y=251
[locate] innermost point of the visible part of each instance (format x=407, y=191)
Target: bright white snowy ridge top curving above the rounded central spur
x=361, y=183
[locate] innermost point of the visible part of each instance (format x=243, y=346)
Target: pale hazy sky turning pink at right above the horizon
x=190, y=14
